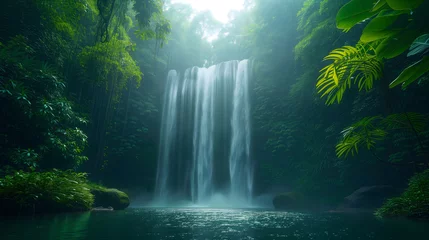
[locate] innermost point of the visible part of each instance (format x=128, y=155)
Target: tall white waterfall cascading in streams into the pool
x=205, y=136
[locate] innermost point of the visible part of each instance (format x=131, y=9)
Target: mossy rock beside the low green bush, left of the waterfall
x=109, y=197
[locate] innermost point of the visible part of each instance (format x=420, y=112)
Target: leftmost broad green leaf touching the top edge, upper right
x=355, y=12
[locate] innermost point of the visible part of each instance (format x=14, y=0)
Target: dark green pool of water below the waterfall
x=194, y=223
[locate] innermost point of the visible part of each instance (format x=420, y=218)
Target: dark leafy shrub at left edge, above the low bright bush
x=40, y=127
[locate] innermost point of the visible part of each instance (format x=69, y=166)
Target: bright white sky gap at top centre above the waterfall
x=219, y=8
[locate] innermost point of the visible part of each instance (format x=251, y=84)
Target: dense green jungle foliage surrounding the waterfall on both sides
x=81, y=84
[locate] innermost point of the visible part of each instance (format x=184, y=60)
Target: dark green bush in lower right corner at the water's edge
x=413, y=203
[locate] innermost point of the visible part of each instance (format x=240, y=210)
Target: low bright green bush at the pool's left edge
x=43, y=192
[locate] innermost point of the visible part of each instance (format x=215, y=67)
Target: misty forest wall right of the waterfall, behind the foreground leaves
x=296, y=134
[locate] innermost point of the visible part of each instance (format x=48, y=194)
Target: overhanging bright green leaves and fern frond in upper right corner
x=395, y=27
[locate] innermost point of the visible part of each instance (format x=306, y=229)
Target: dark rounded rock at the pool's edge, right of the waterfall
x=369, y=197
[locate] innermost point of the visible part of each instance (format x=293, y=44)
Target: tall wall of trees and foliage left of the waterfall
x=65, y=77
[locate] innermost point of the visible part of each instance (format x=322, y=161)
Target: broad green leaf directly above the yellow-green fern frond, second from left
x=382, y=26
